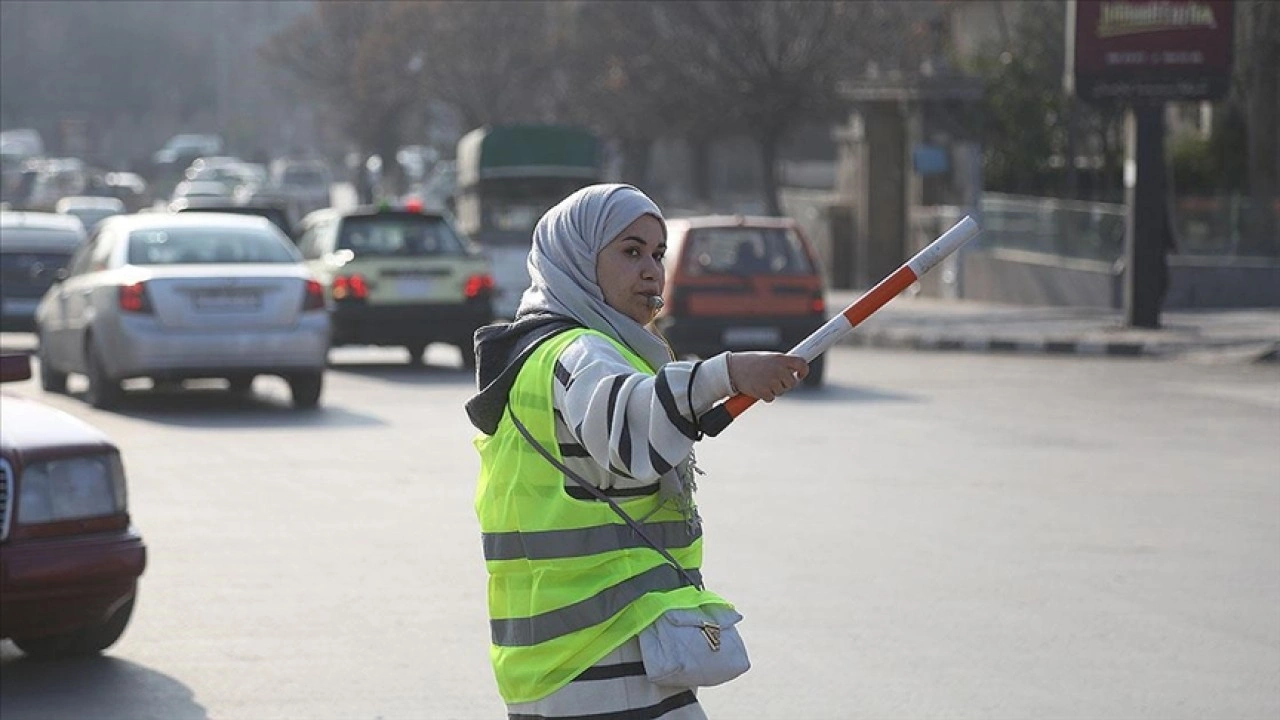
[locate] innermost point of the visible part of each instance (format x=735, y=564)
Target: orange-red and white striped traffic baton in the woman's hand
x=836, y=329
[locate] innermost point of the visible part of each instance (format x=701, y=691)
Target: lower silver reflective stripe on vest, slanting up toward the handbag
x=524, y=632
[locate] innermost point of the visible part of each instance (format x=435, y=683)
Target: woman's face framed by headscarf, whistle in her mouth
x=630, y=272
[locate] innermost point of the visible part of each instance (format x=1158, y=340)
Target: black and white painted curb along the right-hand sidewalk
x=900, y=340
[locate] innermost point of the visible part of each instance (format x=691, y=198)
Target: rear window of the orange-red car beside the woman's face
x=744, y=252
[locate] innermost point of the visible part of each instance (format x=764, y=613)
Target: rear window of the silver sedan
x=184, y=247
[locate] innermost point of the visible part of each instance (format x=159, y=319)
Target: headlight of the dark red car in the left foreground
x=72, y=489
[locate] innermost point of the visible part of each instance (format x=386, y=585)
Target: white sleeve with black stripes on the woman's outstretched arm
x=634, y=425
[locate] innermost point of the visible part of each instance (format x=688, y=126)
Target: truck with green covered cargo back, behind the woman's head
x=508, y=179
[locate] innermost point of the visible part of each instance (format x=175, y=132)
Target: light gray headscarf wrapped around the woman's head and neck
x=563, y=265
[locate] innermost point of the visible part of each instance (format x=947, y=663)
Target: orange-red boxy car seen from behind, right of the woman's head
x=742, y=284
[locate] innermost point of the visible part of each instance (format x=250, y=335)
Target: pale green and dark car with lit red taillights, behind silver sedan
x=399, y=277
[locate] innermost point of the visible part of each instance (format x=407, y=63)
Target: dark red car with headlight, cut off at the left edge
x=70, y=554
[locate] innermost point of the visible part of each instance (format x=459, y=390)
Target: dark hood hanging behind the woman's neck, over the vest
x=502, y=350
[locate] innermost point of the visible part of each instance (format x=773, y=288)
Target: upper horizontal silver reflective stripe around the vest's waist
x=550, y=545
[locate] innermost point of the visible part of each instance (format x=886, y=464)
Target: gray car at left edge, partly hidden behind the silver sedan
x=34, y=248
